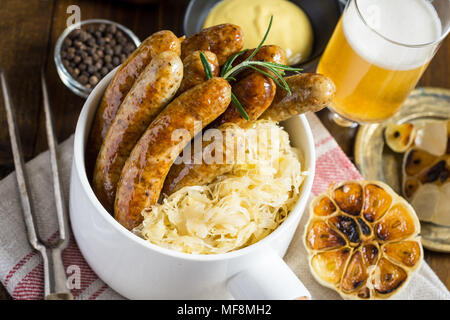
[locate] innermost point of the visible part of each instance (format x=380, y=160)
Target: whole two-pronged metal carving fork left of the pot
x=55, y=280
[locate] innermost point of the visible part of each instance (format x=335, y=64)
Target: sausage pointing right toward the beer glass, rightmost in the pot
x=310, y=92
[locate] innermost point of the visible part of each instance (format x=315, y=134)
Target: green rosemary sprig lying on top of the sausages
x=275, y=70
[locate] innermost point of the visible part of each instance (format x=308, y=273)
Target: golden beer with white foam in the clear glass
x=371, y=85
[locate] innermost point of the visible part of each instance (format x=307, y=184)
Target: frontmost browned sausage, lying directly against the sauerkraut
x=144, y=172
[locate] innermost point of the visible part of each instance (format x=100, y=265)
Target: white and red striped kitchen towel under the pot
x=21, y=269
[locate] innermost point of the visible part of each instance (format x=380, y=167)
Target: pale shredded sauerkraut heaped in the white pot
x=238, y=208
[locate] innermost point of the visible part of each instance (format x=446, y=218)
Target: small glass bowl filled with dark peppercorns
x=87, y=51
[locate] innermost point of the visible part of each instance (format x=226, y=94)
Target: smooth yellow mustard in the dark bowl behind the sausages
x=291, y=28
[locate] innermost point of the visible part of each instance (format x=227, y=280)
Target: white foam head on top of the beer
x=409, y=22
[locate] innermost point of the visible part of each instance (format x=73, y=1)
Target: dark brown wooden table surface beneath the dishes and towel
x=29, y=31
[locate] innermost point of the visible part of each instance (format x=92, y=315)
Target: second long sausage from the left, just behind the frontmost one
x=151, y=92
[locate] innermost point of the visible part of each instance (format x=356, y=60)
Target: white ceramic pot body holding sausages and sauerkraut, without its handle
x=138, y=269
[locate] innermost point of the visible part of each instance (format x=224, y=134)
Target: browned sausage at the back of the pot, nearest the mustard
x=224, y=40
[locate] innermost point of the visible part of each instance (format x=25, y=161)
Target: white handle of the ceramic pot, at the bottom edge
x=268, y=279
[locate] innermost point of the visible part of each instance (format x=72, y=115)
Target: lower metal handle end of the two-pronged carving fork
x=55, y=287
